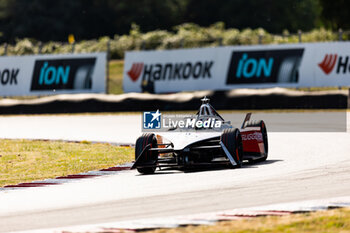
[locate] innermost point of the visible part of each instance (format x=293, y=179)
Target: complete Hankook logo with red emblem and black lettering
x=159, y=72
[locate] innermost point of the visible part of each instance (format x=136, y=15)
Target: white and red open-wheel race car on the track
x=187, y=149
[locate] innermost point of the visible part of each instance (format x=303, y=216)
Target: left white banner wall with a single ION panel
x=52, y=74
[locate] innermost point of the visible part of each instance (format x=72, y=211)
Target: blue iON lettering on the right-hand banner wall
x=251, y=67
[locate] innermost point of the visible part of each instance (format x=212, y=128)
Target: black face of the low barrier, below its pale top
x=221, y=101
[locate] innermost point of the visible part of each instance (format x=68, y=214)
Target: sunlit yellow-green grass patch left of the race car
x=26, y=160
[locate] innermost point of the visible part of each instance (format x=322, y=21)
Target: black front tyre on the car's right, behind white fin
x=232, y=139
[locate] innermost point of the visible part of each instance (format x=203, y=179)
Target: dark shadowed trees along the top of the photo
x=47, y=20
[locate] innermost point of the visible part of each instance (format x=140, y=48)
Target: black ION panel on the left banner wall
x=63, y=74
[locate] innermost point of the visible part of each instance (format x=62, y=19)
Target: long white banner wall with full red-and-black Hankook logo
x=229, y=67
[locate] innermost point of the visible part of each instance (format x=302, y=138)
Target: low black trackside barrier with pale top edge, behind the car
x=275, y=98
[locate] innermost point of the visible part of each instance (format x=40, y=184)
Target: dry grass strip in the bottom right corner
x=336, y=220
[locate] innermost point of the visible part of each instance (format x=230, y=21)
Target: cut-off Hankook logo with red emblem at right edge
x=331, y=61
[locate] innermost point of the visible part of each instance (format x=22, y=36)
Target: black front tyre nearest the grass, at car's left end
x=149, y=158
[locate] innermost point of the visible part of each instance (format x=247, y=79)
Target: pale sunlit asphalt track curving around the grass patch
x=301, y=166
